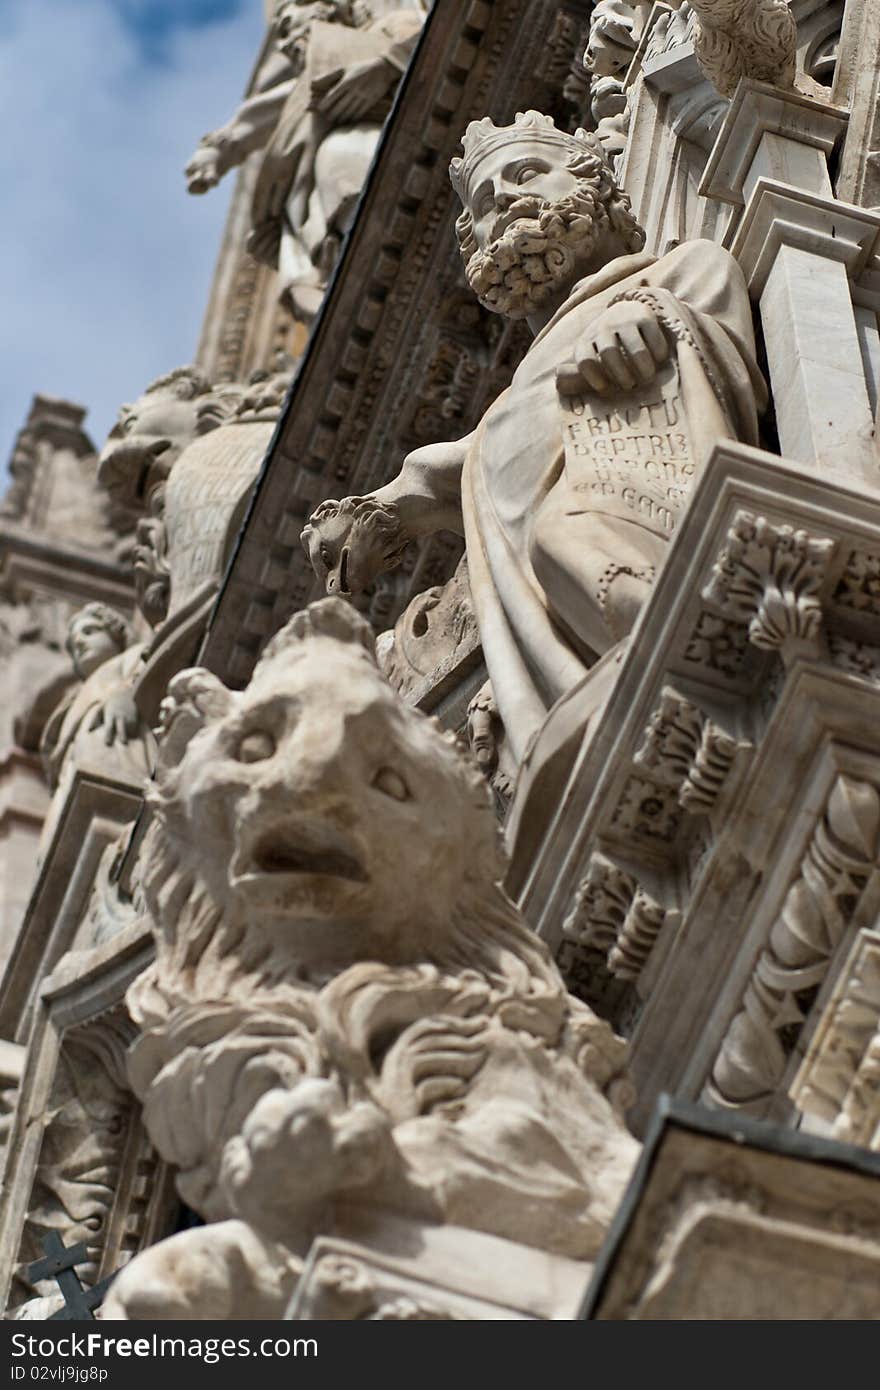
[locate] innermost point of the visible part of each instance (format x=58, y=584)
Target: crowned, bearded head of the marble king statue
x=539, y=206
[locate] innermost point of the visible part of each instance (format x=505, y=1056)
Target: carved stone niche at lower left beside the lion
x=80, y=1161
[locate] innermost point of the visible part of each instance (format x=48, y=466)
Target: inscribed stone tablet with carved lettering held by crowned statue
x=630, y=457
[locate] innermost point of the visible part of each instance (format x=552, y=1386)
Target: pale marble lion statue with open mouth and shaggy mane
x=345, y=1008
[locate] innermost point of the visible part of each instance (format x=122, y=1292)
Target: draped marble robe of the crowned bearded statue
x=536, y=548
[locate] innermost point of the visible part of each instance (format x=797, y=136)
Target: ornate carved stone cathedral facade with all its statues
x=448, y=761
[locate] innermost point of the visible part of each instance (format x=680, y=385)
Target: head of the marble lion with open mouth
x=315, y=821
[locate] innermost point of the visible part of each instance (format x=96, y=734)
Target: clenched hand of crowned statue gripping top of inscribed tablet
x=624, y=350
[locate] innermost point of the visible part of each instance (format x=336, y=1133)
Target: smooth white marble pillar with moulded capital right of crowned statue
x=801, y=251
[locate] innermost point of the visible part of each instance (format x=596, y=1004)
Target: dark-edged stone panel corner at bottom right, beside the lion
x=731, y=1220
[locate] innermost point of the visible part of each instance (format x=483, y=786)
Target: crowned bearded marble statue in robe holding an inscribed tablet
x=572, y=486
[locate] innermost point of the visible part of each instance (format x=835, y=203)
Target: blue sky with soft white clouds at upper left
x=105, y=259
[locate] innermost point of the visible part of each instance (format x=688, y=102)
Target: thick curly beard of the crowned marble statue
x=537, y=256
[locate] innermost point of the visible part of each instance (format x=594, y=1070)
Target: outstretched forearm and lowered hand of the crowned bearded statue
x=352, y=541
